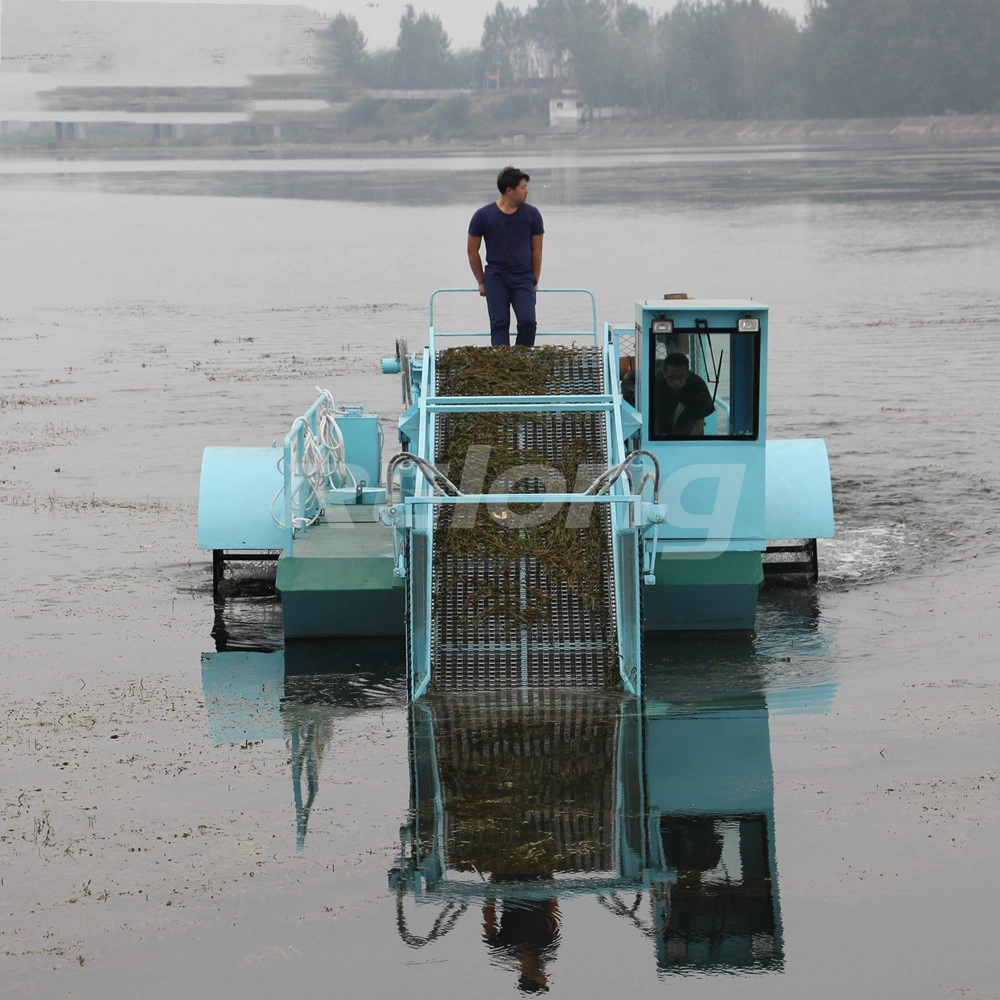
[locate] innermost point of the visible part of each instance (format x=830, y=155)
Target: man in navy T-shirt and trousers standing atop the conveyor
x=513, y=231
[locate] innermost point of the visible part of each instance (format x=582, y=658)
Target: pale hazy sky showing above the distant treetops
x=462, y=19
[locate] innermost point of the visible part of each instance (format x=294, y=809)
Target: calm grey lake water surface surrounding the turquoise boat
x=188, y=807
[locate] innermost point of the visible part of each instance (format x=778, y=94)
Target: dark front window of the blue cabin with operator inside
x=704, y=383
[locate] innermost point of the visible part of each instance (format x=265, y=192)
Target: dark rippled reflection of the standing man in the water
x=526, y=936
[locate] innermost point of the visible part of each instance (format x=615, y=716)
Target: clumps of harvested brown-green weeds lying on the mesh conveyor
x=524, y=452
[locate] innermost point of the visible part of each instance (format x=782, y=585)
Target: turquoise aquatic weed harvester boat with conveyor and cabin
x=548, y=505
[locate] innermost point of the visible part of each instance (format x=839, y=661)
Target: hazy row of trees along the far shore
x=704, y=59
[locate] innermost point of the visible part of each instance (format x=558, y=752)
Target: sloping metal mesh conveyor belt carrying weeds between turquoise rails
x=524, y=594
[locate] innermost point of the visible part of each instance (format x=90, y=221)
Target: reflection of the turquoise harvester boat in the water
x=660, y=810
